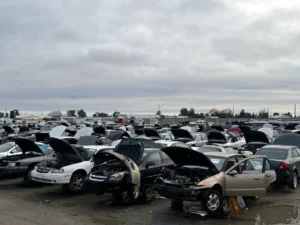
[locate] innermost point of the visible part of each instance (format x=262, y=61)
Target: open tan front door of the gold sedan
x=246, y=178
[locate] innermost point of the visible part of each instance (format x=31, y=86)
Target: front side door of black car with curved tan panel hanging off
x=152, y=168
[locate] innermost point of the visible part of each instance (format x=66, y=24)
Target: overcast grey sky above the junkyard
x=132, y=55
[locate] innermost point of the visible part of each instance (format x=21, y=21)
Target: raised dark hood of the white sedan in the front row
x=63, y=148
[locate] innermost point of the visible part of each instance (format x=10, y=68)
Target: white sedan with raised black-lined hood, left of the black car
x=70, y=167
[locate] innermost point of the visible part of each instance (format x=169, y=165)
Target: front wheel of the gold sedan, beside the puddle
x=212, y=203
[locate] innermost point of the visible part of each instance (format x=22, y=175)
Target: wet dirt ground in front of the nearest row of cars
x=43, y=204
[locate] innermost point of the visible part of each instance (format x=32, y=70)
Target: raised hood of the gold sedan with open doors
x=185, y=156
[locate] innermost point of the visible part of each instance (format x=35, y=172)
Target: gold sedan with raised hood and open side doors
x=195, y=177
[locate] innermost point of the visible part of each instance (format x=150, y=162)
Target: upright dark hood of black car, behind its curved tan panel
x=131, y=148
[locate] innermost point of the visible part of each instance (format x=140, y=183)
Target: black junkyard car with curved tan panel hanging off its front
x=128, y=171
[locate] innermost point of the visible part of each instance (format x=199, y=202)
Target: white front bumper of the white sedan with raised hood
x=51, y=178
